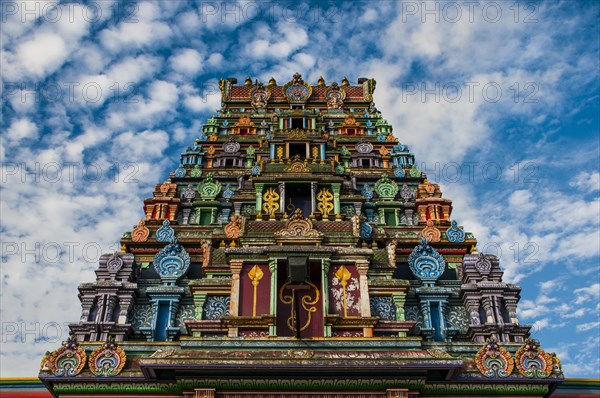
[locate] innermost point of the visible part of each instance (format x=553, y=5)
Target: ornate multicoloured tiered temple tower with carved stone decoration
x=298, y=251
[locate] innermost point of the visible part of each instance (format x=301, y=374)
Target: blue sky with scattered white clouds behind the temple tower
x=498, y=100
